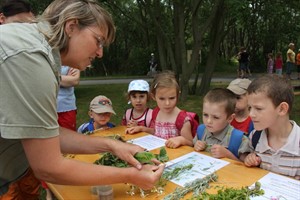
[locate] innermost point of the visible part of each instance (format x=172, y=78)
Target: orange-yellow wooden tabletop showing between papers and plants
x=234, y=174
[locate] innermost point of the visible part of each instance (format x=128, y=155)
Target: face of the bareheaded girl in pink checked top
x=166, y=99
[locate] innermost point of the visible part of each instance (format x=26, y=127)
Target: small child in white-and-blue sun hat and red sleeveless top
x=139, y=116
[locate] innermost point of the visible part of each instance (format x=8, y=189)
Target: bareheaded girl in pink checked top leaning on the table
x=165, y=91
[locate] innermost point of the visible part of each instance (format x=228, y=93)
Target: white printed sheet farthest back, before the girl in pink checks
x=149, y=142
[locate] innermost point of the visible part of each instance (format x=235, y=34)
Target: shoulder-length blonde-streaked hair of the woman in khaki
x=87, y=12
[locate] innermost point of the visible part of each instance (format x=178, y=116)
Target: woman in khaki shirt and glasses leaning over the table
x=70, y=33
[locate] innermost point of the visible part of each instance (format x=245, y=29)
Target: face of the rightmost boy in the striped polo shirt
x=262, y=111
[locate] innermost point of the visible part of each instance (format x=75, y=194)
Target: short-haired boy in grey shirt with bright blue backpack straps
x=217, y=134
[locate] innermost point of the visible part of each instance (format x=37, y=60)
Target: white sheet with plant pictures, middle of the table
x=202, y=166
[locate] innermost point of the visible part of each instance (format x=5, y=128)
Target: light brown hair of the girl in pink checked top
x=165, y=79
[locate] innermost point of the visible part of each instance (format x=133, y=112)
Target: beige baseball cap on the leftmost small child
x=101, y=104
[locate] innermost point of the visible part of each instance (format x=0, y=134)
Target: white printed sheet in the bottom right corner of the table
x=278, y=187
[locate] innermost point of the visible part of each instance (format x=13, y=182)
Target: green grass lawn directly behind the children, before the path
x=117, y=94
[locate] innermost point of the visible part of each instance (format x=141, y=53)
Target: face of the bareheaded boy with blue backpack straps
x=214, y=117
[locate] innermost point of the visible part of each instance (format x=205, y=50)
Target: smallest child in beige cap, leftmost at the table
x=100, y=113
